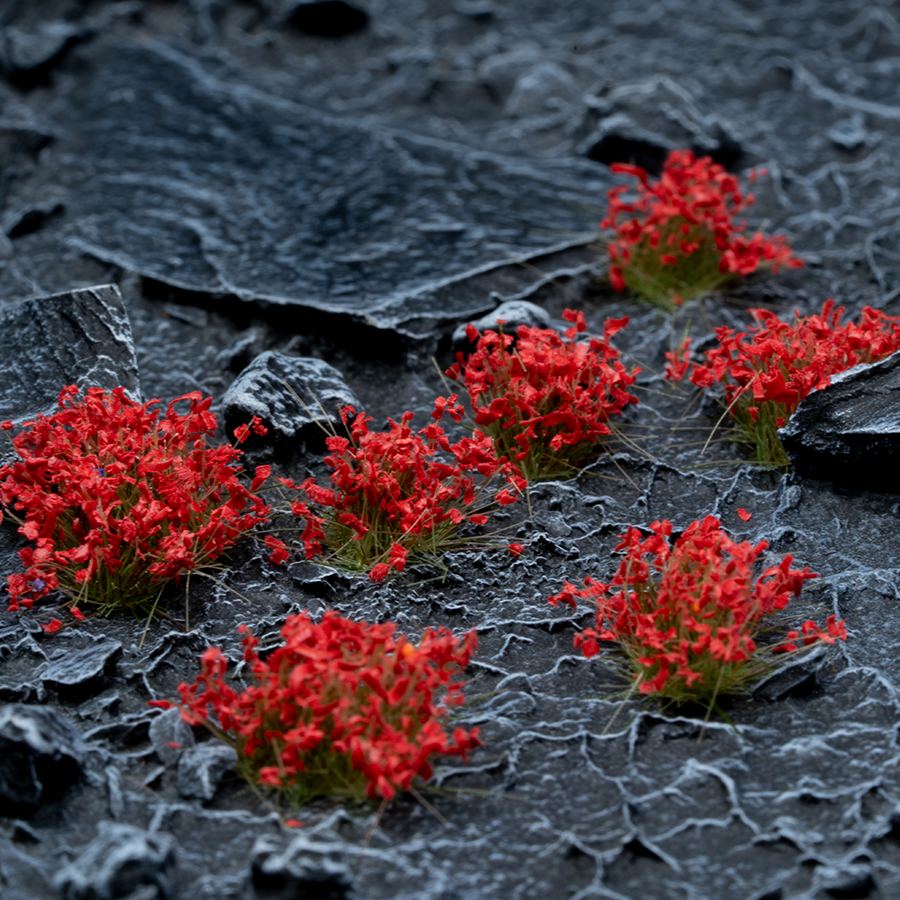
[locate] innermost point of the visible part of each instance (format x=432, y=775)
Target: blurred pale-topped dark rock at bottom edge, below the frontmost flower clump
x=305, y=868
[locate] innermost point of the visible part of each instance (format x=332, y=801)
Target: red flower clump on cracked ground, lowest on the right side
x=688, y=612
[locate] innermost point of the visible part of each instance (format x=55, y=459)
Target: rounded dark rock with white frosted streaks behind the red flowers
x=296, y=397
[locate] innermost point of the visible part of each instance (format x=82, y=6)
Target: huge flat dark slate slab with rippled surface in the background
x=177, y=174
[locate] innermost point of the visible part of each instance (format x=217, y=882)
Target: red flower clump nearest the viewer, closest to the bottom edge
x=342, y=707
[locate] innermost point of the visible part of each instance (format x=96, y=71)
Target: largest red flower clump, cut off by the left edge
x=119, y=497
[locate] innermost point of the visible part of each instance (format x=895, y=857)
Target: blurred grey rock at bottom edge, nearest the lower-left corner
x=121, y=862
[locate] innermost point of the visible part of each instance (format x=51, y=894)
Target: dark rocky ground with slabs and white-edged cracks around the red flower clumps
x=350, y=182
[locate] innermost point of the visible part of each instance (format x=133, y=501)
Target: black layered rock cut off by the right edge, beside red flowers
x=850, y=431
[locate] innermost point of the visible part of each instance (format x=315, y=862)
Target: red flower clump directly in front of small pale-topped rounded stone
x=546, y=400
